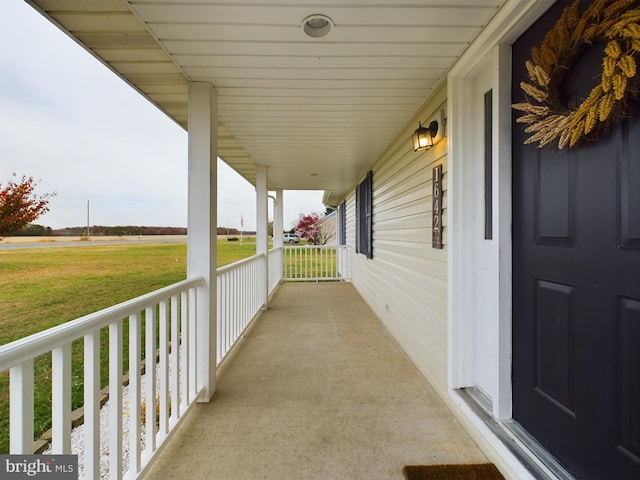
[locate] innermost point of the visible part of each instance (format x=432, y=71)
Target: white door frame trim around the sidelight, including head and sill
x=492, y=45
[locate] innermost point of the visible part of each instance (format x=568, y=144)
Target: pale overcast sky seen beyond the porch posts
x=68, y=121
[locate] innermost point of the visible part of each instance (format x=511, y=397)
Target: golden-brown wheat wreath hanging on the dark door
x=617, y=24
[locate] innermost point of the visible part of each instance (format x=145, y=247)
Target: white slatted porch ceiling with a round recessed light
x=317, y=111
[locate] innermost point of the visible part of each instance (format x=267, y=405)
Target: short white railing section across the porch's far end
x=315, y=262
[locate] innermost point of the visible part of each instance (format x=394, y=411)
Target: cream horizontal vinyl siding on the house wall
x=406, y=281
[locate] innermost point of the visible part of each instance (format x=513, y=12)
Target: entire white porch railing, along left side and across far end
x=164, y=323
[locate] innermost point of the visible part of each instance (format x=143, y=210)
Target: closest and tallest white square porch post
x=202, y=226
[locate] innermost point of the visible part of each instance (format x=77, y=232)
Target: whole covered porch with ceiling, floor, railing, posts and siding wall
x=317, y=387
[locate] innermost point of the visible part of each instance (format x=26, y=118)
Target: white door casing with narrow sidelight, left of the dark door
x=480, y=270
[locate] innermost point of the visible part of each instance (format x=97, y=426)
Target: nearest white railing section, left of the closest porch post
x=166, y=320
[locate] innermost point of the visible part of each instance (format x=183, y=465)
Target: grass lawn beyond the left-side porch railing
x=44, y=287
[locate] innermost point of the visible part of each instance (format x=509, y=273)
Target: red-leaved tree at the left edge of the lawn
x=19, y=205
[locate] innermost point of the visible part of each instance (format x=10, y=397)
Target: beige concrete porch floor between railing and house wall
x=318, y=389
